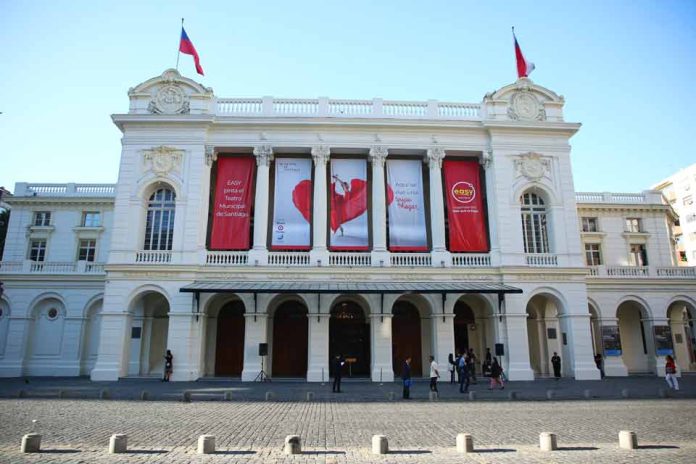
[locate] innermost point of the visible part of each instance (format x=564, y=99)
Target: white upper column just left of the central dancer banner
x=319, y=255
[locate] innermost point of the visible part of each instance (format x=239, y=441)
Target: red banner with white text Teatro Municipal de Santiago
x=234, y=185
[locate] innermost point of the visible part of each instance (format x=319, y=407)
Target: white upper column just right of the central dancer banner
x=380, y=255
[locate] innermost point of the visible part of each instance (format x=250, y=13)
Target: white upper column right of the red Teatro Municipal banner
x=258, y=256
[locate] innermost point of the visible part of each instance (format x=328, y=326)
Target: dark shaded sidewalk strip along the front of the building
x=353, y=390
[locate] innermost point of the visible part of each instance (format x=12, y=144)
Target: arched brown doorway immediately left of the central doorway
x=290, y=330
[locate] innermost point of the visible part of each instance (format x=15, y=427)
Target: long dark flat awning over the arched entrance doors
x=348, y=287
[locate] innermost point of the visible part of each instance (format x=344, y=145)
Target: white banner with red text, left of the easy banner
x=406, y=206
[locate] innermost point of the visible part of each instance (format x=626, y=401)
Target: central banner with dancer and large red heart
x=348, y=205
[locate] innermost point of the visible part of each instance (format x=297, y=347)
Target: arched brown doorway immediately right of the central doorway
x=406, y=337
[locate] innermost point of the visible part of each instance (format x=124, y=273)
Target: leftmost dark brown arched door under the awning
x=229, y=349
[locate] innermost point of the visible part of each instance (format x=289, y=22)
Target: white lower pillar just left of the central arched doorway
x=318, y=343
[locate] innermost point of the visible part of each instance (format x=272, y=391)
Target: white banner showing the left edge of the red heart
x=292, y=204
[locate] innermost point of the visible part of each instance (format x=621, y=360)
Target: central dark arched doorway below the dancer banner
x=349, y=335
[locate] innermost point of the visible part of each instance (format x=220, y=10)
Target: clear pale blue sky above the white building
x=627, y=70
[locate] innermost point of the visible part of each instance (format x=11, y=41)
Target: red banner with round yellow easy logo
x=467, y=221
